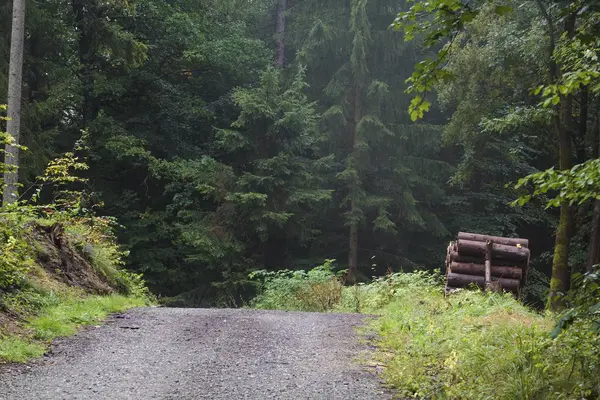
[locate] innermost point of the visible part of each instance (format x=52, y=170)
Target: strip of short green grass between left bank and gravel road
x=63, y=318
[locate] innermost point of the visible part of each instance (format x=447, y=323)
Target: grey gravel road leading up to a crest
x=167, y=353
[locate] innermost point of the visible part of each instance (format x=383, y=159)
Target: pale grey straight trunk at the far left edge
x=15, y=80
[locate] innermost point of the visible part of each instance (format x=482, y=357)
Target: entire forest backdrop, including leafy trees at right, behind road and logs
x=225, y=142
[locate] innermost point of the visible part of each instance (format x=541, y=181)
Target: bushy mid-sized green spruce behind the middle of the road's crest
x=273, y=143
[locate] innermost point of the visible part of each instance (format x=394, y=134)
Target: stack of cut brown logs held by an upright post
x=490, y=262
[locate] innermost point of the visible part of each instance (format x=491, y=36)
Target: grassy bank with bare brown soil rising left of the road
x=53, y=281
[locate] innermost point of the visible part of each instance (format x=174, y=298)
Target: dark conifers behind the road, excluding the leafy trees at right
x=215, y=160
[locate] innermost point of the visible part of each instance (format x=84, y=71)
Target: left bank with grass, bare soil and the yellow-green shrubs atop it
x=42, y=247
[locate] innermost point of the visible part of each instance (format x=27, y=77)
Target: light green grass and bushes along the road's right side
x=470, y=345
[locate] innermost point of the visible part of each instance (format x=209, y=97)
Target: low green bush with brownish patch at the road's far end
x=319, y=289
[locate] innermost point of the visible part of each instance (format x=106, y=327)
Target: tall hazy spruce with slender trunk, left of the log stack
x=377, y=175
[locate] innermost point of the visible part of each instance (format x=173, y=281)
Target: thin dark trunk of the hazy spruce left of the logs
x=354, y=211
